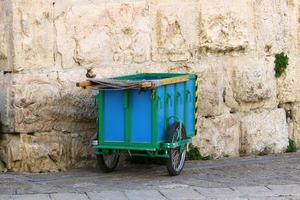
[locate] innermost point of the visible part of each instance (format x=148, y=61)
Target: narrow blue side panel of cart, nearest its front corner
x=160, y=113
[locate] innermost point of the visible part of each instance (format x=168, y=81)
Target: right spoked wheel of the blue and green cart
x=176, y=159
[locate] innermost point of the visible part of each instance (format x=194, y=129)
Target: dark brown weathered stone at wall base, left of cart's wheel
x=44, y=152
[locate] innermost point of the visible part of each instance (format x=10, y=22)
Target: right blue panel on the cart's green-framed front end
x=141, y=116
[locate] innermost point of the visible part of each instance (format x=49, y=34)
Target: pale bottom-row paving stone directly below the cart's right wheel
x=181, y=194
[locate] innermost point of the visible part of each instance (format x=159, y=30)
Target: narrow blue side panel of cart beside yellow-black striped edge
x=191, y=108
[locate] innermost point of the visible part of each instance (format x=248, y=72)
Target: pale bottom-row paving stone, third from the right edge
x=216, y=192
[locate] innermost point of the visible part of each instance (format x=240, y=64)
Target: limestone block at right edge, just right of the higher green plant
x=289, y=82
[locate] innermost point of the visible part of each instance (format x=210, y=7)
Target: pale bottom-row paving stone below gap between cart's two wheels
x=144, y=195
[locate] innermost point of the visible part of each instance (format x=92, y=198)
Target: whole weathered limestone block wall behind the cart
x=47, y=45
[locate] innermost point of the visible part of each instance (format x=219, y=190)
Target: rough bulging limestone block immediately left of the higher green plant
x=252, y=84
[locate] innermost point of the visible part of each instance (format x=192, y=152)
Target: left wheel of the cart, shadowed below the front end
x=108, y=162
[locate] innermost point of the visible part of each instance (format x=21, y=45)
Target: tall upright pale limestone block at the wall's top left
x=33, y=34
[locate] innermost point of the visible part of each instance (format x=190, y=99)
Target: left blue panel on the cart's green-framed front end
x=114, y=116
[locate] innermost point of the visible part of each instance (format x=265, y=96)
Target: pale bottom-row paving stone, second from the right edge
x=253, y=191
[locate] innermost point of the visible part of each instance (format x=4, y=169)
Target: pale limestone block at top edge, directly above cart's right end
x=174, y=33
